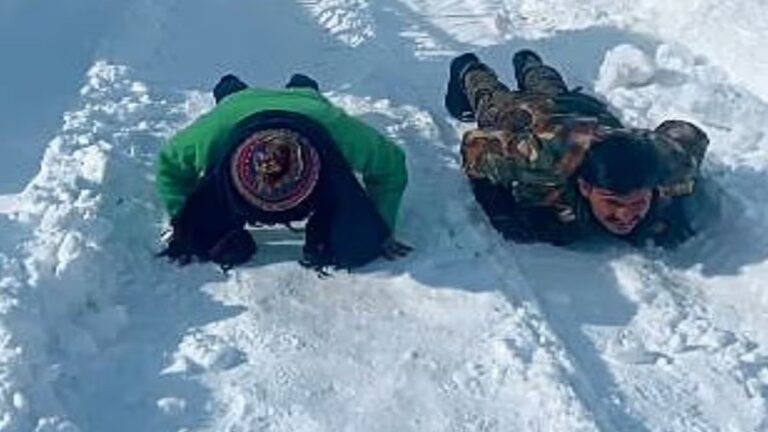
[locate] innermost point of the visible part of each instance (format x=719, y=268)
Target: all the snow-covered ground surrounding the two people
x=470, y=333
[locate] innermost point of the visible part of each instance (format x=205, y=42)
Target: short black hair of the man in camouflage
x=621, y=161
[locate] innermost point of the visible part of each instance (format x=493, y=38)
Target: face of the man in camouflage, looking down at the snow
x=618, y=213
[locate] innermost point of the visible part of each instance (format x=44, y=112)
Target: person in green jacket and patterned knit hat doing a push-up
x=276, y=156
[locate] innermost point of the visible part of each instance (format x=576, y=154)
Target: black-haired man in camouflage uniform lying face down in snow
x=548, y=164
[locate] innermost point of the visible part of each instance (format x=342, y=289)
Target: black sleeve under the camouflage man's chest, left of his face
x=522, y=225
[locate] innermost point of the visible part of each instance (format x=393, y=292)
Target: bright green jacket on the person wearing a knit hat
x=184, y=160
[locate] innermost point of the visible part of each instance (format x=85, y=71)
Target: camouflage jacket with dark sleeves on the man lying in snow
x=534, y=158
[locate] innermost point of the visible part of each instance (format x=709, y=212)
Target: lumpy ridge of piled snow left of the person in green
x=60, y=290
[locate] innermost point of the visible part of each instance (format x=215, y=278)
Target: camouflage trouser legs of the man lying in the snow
x=493, y=102
